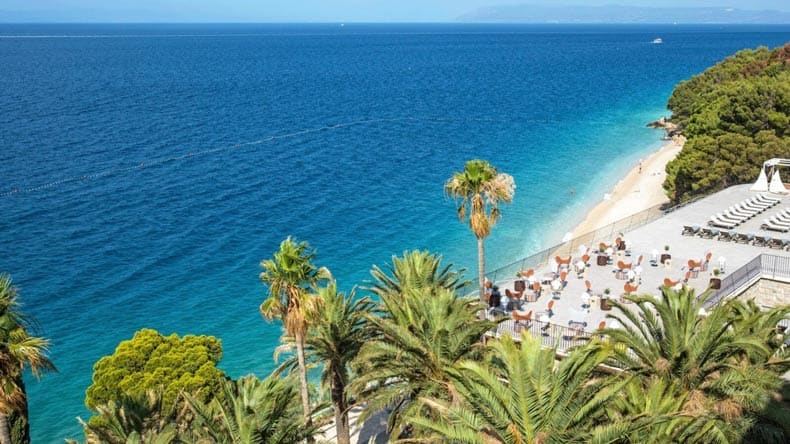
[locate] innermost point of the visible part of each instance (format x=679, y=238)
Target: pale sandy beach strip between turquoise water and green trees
x=639, y=190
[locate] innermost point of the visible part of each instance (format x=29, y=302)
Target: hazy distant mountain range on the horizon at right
x=621, y=14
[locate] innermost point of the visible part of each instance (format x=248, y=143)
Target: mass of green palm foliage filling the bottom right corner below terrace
x=719, y=371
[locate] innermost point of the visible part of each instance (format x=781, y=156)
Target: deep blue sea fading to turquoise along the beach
x=147, y=170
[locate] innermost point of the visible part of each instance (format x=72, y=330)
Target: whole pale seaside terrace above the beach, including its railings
x=743, y=264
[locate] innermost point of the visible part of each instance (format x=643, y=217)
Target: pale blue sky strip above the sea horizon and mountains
x=300, y=10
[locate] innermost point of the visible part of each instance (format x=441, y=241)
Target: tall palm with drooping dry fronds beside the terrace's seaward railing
x=479, y=189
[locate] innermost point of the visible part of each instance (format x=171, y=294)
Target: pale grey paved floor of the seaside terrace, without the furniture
x=666, y=230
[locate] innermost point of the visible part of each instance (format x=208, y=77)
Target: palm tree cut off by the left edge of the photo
x=18, y=351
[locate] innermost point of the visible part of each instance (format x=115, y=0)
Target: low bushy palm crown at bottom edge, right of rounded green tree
x=251, y=411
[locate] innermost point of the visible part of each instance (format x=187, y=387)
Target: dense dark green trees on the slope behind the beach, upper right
x=735, y=116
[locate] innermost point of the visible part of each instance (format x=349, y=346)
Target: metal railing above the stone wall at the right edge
x=767, y=266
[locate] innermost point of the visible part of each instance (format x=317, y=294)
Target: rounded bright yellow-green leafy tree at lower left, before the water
x=151, y=361
